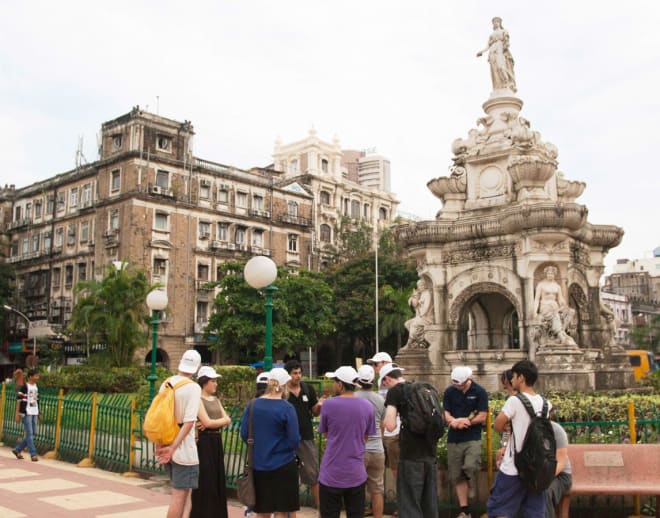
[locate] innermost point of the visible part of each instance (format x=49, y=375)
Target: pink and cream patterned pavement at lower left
x=56, y=489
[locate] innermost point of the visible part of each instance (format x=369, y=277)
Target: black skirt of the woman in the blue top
x=277, y=490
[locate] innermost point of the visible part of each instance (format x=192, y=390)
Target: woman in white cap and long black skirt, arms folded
x=209, y=500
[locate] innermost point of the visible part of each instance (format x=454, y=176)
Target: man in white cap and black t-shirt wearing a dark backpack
x=417, y=476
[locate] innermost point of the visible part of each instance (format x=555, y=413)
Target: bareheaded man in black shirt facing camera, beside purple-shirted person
x=304, y=400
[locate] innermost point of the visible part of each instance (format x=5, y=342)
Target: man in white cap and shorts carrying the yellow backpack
x=180, y=457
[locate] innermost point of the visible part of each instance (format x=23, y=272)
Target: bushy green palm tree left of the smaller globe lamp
x=113, y=310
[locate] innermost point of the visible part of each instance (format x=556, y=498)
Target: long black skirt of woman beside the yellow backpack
x=209, y=500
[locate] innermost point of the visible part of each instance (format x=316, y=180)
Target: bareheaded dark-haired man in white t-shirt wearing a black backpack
x=509, y=495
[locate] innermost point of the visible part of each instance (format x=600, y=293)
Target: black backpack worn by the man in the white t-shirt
x=536, y=462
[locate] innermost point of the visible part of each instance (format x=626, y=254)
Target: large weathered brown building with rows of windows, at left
x=149, y=201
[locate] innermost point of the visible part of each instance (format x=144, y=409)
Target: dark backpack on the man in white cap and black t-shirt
x=424, y=414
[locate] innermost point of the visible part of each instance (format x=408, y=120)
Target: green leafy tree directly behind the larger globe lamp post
x=302, y=313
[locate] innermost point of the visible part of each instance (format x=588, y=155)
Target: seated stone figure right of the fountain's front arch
x=553, y=313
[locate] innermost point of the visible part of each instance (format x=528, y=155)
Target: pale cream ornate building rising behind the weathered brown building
x=351, y=184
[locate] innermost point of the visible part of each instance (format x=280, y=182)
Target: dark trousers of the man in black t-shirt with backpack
x=417, y=488
